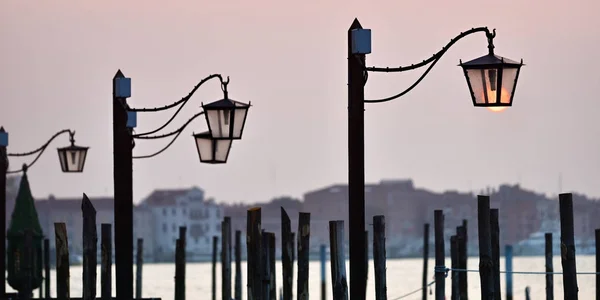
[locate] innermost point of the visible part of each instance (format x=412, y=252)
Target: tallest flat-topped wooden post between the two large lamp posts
x=253, y=258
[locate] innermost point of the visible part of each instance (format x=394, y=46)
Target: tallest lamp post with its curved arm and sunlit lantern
x=491, y=79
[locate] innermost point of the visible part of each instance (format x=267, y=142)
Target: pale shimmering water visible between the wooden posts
x=403, y=276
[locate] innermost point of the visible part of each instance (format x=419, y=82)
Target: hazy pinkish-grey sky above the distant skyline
x=58, y=58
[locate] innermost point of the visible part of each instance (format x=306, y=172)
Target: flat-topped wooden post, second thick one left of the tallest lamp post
x=303, y=255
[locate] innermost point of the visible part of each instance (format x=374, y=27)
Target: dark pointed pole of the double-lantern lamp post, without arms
x=123, y=196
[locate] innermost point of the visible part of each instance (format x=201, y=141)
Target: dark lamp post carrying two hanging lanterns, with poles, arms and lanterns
x=225, y=118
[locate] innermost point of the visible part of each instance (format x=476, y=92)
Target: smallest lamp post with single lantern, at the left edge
x=72, y=160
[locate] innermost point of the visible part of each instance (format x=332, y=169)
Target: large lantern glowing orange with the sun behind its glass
x=492, y=80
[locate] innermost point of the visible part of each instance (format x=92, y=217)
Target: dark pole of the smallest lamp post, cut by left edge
x=3, y=170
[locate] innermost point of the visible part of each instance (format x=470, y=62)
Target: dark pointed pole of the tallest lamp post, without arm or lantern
x=356, y=168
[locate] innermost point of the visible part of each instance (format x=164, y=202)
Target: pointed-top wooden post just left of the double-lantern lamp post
x=90, y=251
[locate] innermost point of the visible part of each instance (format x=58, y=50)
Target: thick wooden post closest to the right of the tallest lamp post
x=379, y=264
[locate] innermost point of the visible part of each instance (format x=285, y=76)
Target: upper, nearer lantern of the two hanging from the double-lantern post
x=226, y=118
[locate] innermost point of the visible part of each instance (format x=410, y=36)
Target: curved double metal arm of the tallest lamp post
x=433, y=60
